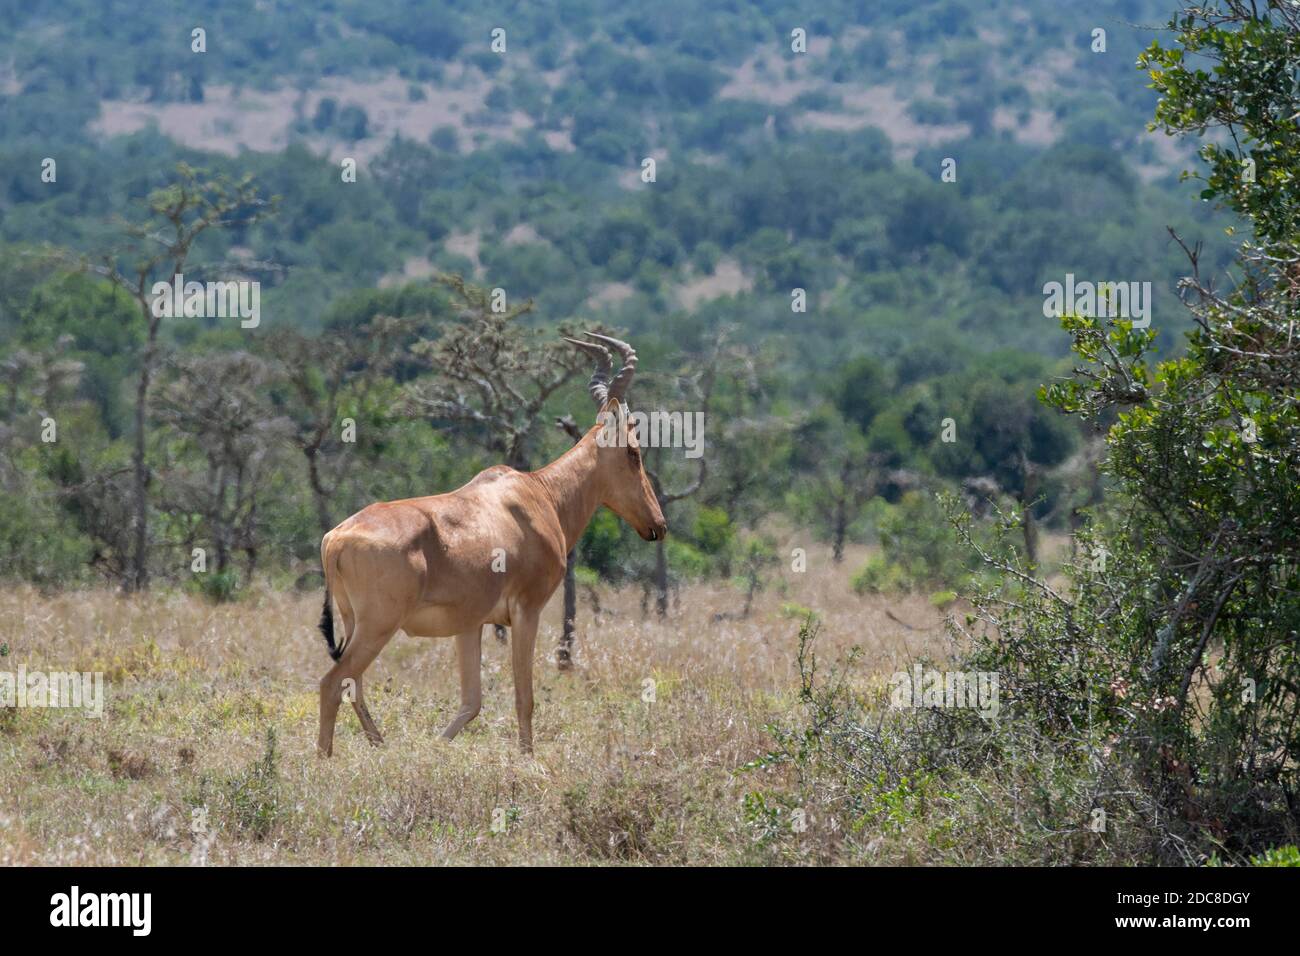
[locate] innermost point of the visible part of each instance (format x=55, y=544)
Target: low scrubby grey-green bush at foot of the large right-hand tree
x=890, y=785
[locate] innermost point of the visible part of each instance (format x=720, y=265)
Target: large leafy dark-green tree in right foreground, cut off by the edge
x=1177, y=655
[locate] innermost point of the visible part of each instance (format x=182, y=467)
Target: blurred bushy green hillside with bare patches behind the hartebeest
x=777, y=171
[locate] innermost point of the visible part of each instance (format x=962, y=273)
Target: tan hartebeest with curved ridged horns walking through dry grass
x=488, y=553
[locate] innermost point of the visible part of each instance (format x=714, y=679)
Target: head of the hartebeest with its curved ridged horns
x=626, y=488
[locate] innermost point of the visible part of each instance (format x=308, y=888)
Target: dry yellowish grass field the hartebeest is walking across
x=194, y=689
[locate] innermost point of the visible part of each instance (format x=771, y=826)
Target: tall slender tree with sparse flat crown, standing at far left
x=159, y=249
